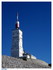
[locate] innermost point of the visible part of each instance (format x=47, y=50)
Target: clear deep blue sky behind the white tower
x=35, y=22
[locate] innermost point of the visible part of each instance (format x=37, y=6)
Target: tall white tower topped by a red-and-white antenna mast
x=17, y=43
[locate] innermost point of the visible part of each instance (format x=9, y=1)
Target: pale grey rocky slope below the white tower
x=11, y=62
